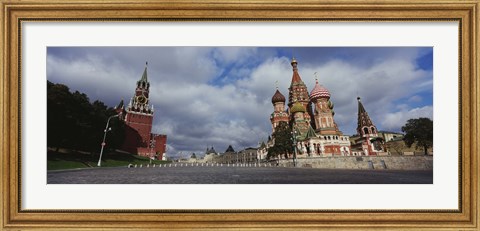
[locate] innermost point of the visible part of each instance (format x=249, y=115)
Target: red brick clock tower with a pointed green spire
x=138, y=117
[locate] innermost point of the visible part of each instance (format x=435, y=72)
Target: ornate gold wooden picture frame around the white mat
x=14, y=12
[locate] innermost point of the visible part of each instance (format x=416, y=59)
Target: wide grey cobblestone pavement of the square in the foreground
x=176, y=174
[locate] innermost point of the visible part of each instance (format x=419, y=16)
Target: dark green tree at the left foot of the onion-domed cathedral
x=283, y=143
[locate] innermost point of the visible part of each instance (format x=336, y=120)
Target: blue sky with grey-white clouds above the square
x=220, y=96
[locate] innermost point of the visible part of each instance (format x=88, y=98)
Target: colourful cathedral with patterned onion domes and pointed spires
x=311, y=119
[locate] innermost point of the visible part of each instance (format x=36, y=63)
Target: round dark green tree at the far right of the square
x=420, y=132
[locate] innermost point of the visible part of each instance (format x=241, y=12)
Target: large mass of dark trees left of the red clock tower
x=75, y=123
